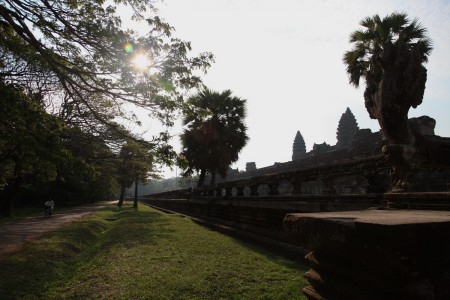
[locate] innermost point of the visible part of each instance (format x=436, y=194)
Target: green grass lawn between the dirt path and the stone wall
x=146, y=254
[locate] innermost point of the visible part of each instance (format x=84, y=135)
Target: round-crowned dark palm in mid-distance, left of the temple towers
x=215, y=133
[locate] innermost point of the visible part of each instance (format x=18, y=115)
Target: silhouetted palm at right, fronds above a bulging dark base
x=389, y=54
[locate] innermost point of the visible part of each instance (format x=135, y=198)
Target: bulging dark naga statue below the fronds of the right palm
x=393, y=87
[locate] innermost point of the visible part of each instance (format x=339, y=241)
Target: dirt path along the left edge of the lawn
x=15, y=234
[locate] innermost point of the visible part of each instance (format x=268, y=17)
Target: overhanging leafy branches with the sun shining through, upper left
x=79, y=56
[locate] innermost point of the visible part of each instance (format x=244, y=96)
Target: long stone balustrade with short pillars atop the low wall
x=331, y=179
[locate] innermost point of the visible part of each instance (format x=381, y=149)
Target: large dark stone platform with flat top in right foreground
x=375, y=254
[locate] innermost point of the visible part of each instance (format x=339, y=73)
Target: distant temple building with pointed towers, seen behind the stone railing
x=352, y=144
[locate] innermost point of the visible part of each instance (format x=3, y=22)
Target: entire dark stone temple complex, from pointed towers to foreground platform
x=372, y=215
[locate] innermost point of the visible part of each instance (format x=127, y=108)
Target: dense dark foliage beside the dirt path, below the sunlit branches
x=42, y=157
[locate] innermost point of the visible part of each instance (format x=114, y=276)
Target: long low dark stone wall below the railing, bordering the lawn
x=262, y=215
